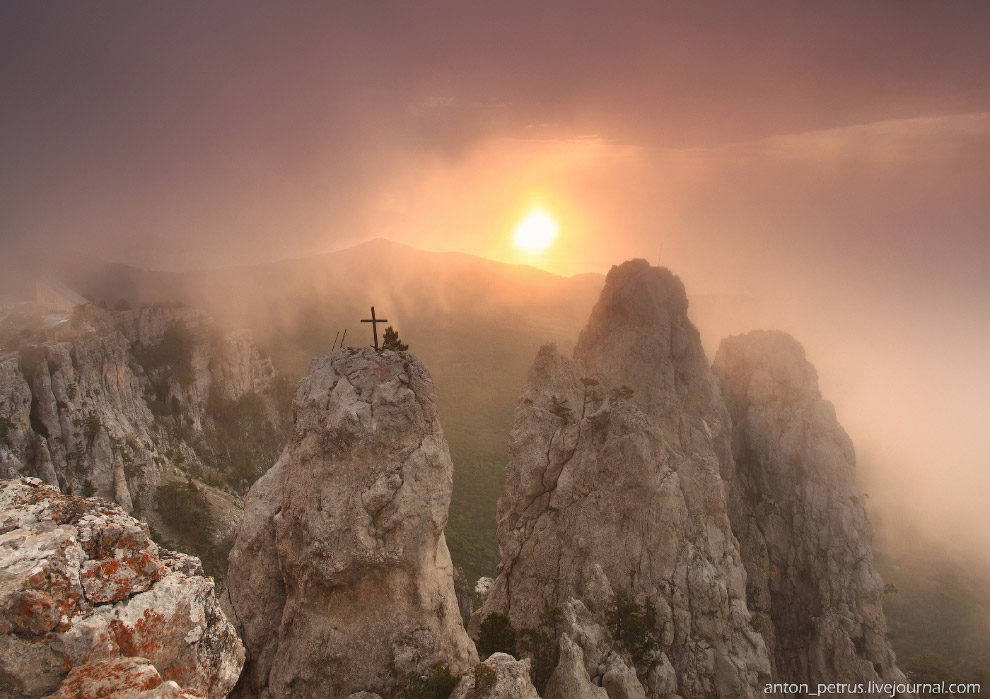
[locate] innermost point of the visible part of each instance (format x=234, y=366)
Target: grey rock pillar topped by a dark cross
x=340, y=578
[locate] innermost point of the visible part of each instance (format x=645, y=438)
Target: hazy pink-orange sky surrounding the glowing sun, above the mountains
x=830, y=159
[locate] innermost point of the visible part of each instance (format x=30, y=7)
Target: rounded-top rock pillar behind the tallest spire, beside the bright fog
x=800, y=518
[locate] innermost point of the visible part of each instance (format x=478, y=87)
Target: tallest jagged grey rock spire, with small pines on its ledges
x=613, y=483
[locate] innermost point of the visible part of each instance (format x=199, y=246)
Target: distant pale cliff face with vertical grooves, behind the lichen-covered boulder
x=137, y=407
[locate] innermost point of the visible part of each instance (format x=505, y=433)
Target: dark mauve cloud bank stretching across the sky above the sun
x=219, y=127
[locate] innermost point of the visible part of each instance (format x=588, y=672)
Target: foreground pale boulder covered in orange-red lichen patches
x=91, y=606
